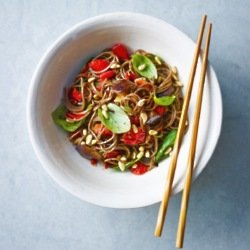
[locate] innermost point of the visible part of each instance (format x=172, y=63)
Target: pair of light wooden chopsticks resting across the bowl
x=180, y=133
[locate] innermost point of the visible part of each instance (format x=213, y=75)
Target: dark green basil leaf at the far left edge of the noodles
x=59, y=118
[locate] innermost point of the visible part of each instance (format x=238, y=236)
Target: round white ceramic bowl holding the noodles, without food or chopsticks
x=58, y=67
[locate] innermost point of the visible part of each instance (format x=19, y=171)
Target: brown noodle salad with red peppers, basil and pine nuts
x=123, y=109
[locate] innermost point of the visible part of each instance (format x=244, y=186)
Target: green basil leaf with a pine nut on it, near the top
x=149, y=71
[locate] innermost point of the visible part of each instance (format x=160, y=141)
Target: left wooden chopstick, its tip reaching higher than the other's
x=181, y=127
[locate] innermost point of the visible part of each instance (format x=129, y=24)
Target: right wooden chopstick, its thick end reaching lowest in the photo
x=192, y=149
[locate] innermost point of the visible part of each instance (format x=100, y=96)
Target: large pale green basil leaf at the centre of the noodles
x=118, y=121
